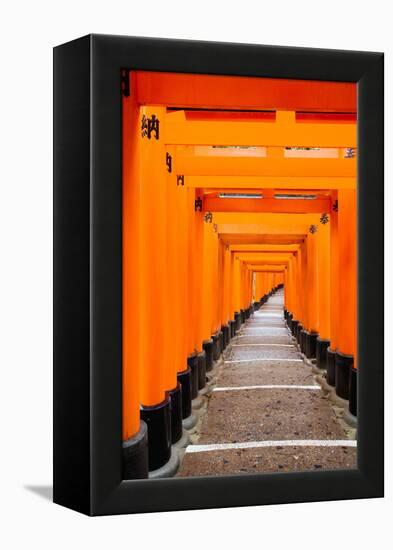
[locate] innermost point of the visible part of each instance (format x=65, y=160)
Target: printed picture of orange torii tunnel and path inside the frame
x=239, y=275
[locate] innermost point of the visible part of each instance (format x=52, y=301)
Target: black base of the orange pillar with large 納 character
x=158, y=421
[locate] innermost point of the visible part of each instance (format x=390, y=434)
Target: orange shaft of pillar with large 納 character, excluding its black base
x=153, y=266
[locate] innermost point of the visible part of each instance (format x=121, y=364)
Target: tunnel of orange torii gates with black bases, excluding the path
x=233, y=187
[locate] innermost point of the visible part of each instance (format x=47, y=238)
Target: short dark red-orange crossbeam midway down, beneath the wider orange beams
x=211, y=204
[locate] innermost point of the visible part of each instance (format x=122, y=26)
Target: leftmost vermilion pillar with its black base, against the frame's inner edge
x=135, y=461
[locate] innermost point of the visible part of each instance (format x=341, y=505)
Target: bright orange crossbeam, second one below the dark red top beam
x=239, y=168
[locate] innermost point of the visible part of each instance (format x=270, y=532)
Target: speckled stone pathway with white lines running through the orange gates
x=264, y=411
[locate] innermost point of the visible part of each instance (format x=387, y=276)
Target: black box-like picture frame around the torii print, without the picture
x=88, y=274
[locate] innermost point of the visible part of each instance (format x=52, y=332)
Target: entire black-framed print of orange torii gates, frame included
x=218, y=275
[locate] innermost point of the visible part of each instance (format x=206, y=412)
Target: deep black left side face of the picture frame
x=71, y=275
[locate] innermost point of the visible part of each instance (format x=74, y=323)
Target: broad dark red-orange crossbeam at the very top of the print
x=241, y=92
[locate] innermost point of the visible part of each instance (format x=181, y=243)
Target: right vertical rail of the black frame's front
x=370, y=248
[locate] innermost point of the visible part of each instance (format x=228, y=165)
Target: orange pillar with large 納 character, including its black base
x=155, y=403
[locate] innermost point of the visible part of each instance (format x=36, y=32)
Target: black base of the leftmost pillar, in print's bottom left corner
x=134, y=455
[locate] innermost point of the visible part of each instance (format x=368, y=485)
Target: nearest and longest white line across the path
x=279, y=443
